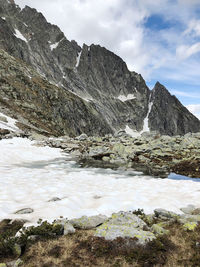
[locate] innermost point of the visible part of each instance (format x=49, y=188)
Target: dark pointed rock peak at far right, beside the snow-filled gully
x=168, y=115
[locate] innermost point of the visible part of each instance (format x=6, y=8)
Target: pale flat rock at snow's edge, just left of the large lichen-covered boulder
x=88, y=222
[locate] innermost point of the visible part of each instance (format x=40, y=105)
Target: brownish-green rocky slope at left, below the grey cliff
x=42, y=107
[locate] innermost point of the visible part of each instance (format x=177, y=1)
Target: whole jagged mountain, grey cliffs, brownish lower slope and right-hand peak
x=107, y=97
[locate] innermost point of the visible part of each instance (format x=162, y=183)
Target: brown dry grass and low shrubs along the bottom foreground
x=178, y=249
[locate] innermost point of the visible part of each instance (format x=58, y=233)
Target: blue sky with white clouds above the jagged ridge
x=159, y=39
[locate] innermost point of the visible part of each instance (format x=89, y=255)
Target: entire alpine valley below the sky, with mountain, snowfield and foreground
x=96, y=169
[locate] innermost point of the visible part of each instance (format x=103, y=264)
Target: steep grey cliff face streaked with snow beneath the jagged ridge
x=94, y=75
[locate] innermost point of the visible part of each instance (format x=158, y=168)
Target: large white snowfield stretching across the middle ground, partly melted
x=32, y=175
